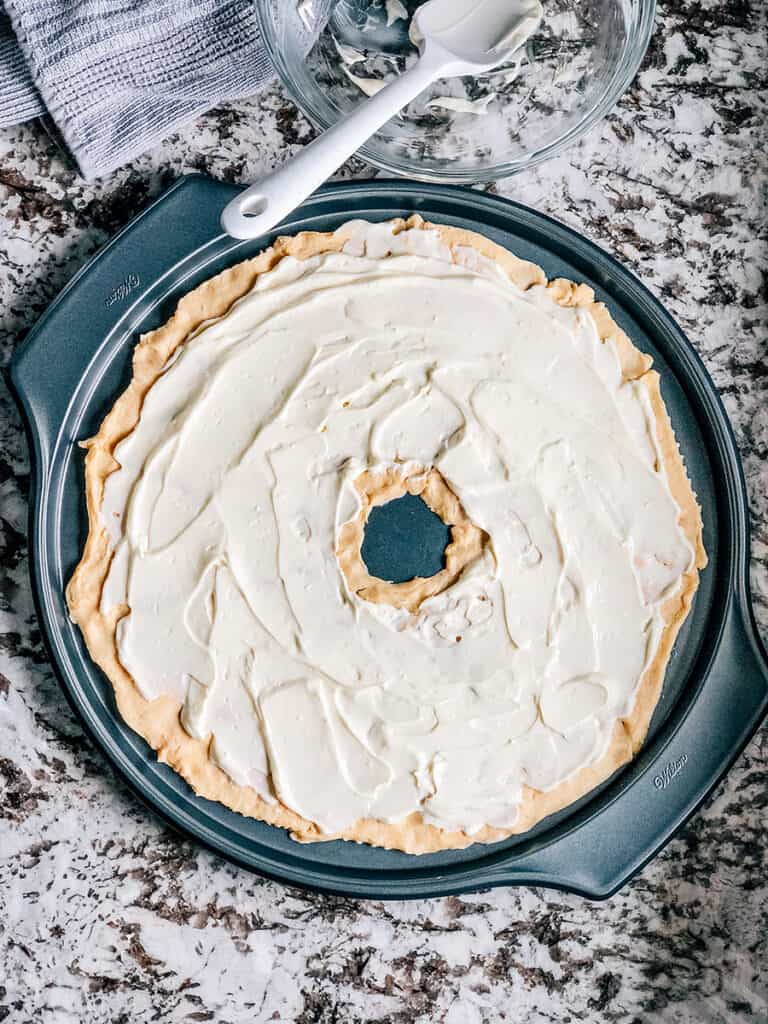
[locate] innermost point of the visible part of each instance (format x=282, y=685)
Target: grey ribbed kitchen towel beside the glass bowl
x=118, y=76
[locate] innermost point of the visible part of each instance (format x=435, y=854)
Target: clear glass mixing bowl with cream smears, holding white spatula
x=571, y=73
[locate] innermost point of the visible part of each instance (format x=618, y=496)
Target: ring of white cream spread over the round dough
x=226, y=511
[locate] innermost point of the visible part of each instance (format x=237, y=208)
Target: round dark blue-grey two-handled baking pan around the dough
x=77, y=360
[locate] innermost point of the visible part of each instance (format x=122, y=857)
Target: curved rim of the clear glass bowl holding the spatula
x=622, y=77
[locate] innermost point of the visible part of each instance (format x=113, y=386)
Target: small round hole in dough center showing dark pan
x=405, y=539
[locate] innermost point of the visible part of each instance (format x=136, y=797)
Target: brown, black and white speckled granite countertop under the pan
x=108, y=917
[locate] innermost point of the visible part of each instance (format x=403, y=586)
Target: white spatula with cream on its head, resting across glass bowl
x=460, y=37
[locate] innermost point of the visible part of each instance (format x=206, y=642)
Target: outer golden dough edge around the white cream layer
x=158, y=721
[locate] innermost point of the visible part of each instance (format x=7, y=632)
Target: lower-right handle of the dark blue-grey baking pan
x=600, y=858
